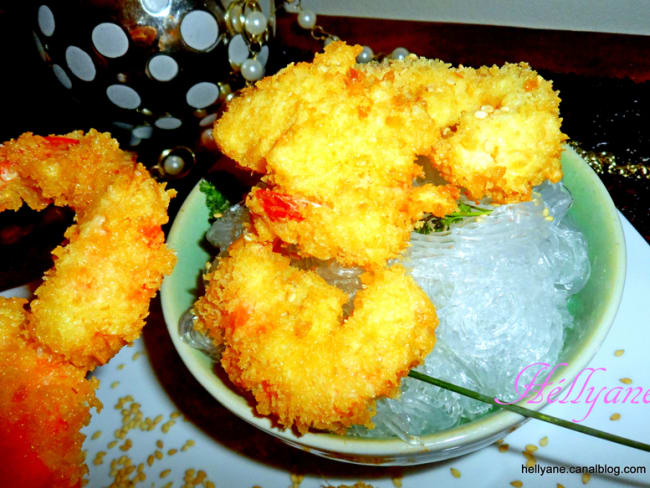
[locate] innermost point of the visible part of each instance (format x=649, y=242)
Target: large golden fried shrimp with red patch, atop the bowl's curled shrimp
x=338, y=147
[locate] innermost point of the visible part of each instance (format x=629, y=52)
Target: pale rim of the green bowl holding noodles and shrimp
x=474, y=431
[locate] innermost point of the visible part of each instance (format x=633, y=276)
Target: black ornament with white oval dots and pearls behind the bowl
x=156, y=70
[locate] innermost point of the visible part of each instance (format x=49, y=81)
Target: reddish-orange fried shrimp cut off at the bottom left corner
x=44, y=402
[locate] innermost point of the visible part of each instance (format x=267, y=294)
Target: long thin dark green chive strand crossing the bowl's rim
x=531, y=413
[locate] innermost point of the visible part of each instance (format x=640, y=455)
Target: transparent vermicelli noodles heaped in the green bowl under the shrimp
x=500, y=284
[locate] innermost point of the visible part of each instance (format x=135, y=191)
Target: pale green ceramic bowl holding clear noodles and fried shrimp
x=594, y=311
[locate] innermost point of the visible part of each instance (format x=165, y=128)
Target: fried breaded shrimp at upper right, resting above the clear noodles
x=499, y=127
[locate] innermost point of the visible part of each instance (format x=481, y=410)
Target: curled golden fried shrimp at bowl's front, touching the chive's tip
x=287, y=343
